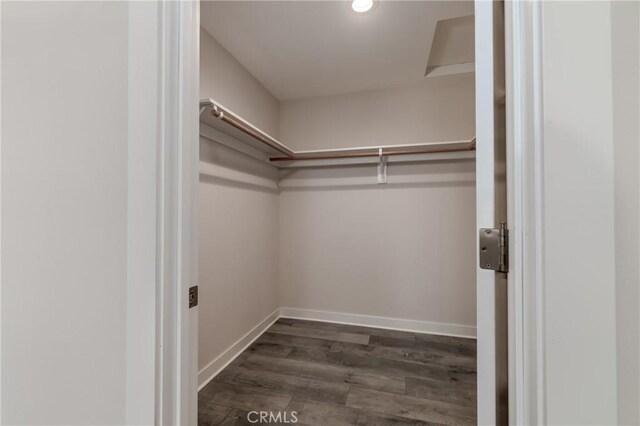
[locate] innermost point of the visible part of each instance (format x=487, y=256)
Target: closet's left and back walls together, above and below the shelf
x=260, y=250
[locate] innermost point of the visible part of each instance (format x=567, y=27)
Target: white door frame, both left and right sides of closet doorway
x=176, y=326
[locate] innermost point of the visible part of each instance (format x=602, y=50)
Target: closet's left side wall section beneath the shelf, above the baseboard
x=238, y=243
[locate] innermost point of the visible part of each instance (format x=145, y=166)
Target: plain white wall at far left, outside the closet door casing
x=64, y=204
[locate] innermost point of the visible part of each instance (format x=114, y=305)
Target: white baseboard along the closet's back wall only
x=381, y=322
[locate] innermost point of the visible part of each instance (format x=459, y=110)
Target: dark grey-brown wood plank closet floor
x=334, y=374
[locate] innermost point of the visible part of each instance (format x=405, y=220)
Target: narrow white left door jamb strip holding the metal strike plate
x=187, y=203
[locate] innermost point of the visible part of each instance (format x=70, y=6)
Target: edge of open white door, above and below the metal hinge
x=491, y=210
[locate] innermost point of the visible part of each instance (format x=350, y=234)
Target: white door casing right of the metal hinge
x=524, y=141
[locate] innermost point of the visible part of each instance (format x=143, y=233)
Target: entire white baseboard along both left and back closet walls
x=217, y=365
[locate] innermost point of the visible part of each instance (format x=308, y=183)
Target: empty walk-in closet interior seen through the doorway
x=336, y=213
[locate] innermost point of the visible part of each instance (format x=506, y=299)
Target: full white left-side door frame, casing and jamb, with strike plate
x=177, y=180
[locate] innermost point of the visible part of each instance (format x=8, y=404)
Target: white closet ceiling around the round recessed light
x=302, y=49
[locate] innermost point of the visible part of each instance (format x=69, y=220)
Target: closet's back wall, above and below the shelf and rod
x=404, y=250
